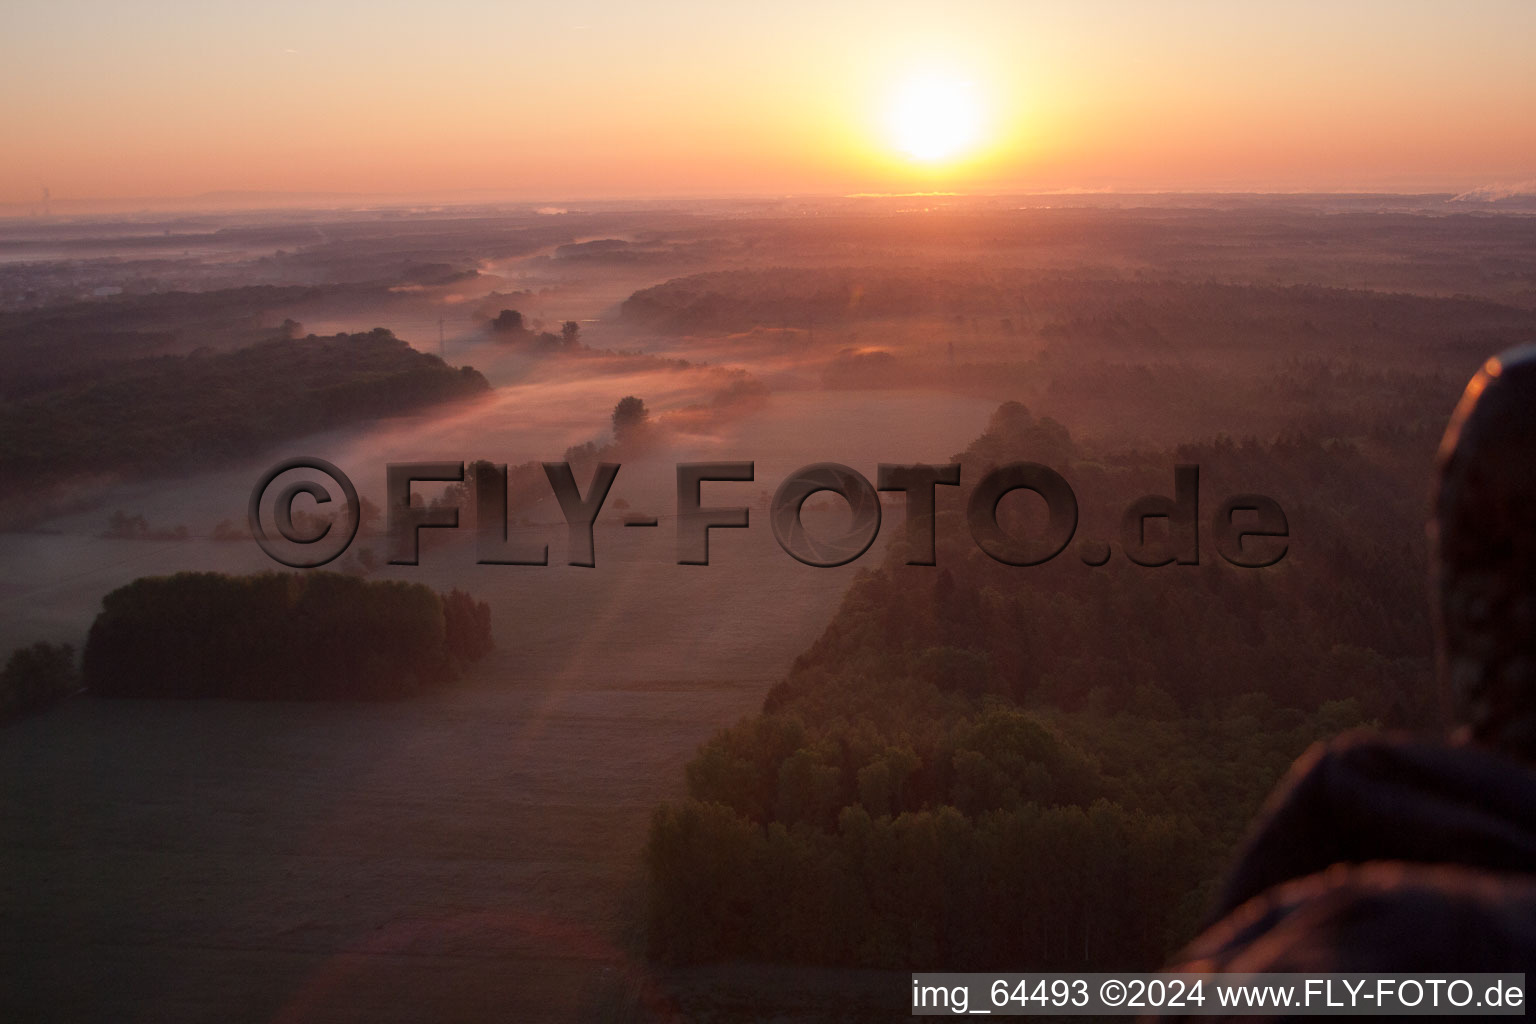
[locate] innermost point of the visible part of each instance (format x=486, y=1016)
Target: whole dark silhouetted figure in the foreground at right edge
x=1394, y=856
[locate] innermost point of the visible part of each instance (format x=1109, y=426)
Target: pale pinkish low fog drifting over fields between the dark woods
x=637, y=596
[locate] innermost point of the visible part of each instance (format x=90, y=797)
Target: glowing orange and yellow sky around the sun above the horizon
x=594, y=99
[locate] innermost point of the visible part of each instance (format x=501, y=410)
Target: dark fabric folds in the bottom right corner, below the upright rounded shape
x=1383, y=856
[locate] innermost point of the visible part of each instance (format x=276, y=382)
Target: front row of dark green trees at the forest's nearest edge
x=1047, y=888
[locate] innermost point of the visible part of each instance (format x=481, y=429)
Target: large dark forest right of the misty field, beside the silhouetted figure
x=982, y=765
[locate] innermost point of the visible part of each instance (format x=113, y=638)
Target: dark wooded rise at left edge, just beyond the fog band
x=171, y=414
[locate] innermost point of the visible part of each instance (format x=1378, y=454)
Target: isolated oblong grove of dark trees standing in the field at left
x=282, y=636
